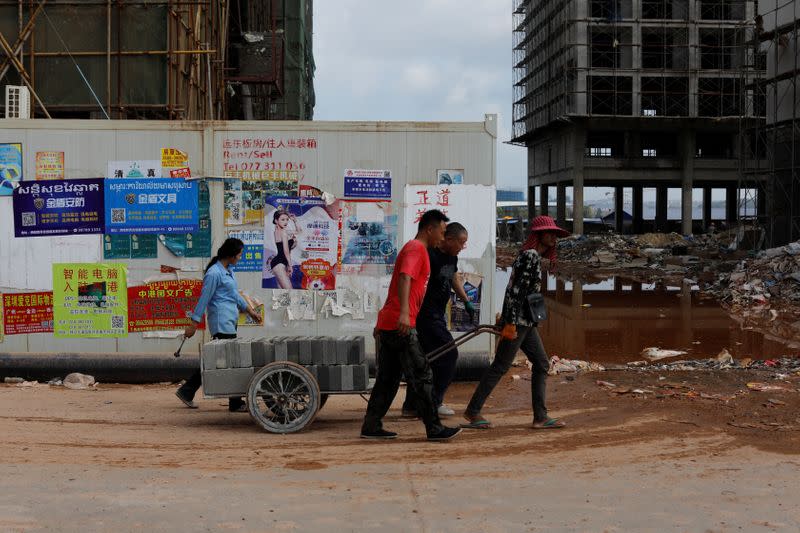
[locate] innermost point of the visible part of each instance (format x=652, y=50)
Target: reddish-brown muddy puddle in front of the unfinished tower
x=613, y=320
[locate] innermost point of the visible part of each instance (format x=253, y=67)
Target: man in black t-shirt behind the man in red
x=431, y=320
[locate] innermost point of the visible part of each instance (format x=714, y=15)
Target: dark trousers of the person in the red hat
x=530, y=343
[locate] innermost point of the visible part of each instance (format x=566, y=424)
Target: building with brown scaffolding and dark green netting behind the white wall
x=169, y=59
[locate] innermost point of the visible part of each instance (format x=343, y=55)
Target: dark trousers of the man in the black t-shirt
x=433, y=334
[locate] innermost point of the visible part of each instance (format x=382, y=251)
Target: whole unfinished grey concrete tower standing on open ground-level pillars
x=632, y=94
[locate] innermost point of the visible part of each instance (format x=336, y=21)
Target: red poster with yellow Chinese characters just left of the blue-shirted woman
x=163, y=305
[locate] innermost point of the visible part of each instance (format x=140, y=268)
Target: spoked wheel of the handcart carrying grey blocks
x=283, y=397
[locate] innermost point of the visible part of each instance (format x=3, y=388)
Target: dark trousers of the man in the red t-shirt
x=399, y=354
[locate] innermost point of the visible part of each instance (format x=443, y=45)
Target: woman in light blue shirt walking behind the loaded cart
x=221, y=301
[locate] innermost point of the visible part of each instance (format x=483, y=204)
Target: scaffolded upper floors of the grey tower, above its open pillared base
x=626, y=58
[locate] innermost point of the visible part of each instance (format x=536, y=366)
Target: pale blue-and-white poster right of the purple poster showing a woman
x=369, y=234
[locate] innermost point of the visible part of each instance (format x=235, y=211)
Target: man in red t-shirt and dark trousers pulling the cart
x=399, y=351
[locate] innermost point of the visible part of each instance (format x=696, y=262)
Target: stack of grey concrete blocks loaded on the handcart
x=338, y=363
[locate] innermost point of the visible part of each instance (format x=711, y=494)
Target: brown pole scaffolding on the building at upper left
x=116, y=59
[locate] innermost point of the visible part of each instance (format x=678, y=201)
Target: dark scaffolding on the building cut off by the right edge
x=771, y=147
